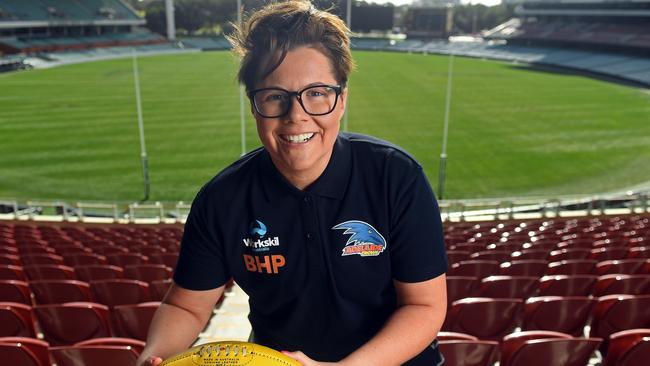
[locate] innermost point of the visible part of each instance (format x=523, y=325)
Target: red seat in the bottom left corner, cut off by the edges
x=23, y=351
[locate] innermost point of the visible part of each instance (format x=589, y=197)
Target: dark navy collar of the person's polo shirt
x=332, y=183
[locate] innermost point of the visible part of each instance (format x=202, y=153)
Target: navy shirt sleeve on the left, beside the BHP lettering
x=201, y=262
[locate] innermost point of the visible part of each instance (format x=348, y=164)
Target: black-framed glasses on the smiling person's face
x=316, y=100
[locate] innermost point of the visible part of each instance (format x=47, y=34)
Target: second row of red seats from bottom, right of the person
x=493, y=318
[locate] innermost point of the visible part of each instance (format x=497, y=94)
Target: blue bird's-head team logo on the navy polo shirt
x=364, y=240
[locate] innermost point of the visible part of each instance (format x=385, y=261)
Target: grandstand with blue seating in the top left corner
x=45, y=28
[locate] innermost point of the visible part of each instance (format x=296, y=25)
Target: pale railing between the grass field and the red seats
x=507, y=208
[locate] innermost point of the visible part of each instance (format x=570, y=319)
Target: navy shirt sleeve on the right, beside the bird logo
x=416, y=242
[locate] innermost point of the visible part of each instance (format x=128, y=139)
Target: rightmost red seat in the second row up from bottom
x=614, y=313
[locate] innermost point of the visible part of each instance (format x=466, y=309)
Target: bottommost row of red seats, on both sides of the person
x=531, y=348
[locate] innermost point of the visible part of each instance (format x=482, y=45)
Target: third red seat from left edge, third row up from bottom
x=120, y=292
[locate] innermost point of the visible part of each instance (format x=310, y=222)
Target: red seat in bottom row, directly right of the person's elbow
x=469, y=352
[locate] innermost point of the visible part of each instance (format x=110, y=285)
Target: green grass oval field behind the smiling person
x=70, y=133
